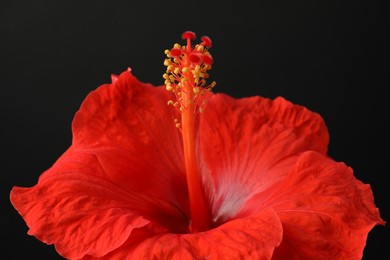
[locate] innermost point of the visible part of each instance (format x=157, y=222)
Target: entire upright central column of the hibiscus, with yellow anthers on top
x=185, y=77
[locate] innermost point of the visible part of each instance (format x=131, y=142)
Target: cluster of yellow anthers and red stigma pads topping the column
x=187, y=71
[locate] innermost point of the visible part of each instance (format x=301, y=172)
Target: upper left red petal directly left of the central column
x=130, y=128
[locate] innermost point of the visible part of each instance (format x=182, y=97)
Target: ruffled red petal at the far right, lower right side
x=325, y=211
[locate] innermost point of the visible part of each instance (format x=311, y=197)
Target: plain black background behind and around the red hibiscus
x=330, y=56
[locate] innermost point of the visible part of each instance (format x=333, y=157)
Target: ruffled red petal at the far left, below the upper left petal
x=82, y=210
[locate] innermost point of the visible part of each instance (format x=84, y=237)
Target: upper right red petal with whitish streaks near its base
x=248, y=144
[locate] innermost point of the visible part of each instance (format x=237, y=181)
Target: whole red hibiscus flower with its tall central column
x=222, y=179
